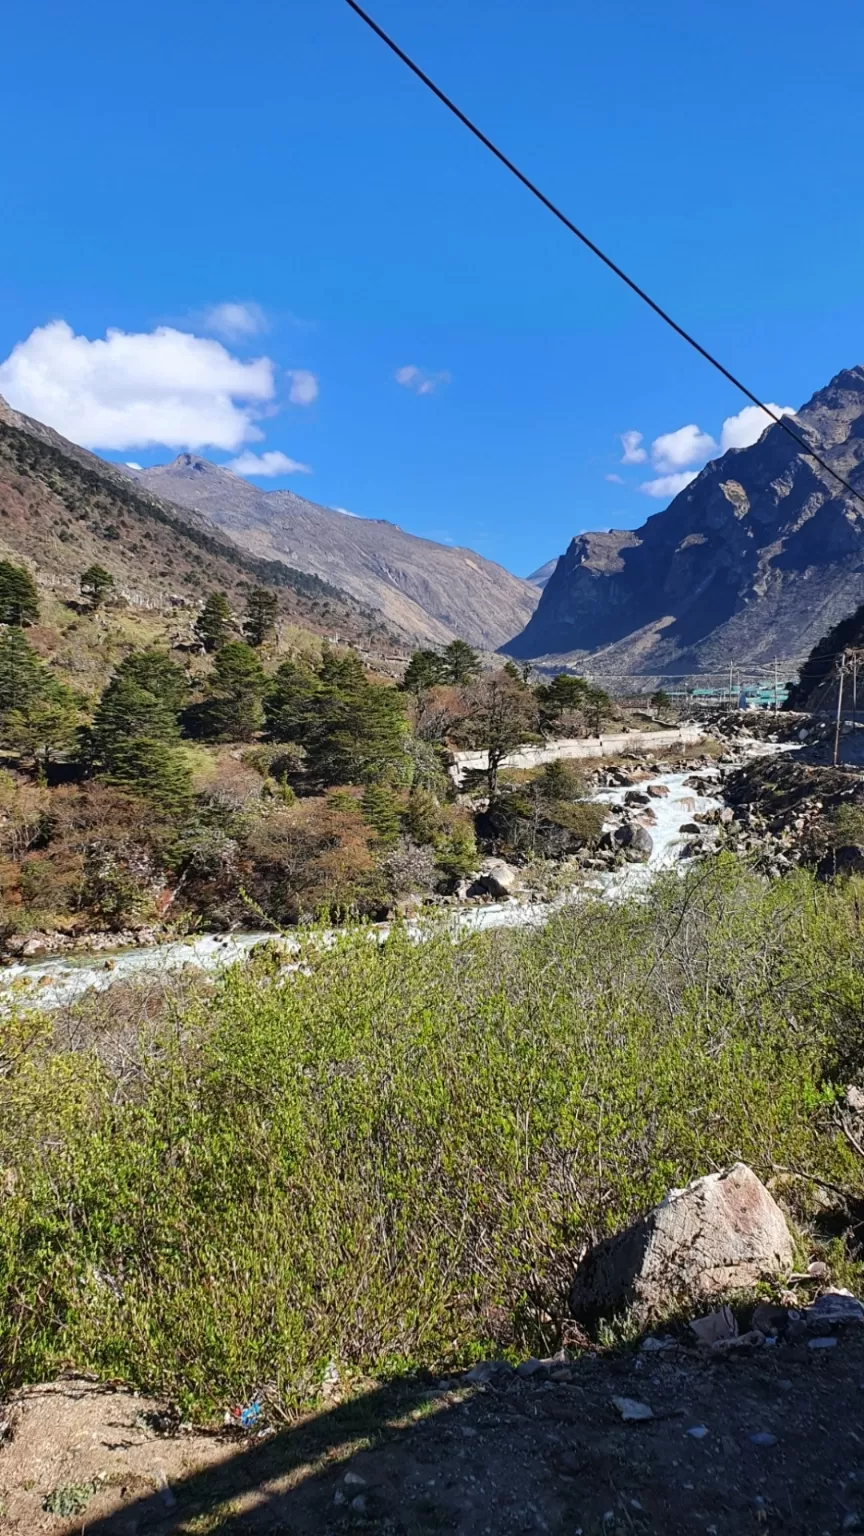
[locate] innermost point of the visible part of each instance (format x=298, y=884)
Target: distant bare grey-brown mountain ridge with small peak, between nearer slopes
x=431, y=592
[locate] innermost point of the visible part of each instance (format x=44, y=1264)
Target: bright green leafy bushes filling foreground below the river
x=396, y=1153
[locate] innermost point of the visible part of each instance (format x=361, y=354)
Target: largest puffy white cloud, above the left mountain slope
x=135, y=391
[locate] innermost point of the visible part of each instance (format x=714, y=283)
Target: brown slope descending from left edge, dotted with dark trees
x=62, y=509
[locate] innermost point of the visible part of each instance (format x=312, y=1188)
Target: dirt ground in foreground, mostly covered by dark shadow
x=513, y=1455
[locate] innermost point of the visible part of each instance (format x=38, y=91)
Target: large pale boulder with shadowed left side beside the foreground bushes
x=723, y=1233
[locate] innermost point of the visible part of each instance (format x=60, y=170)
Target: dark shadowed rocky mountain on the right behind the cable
x=757, y=558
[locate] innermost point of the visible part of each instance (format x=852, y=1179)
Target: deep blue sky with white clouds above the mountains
x=167, y=161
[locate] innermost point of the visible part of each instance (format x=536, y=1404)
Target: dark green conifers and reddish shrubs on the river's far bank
x=248, y=775
